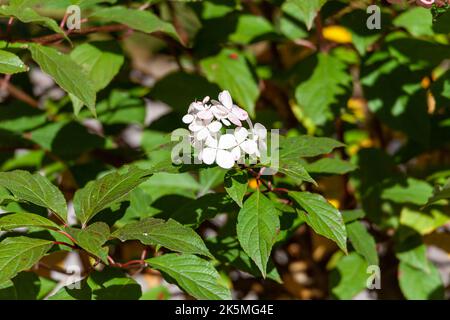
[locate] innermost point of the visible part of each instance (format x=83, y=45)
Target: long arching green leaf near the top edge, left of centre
x=144, y=21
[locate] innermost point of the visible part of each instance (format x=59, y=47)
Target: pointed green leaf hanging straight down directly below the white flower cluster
x=257, y=227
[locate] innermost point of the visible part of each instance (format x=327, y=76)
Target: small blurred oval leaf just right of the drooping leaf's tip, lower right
x=363, y=242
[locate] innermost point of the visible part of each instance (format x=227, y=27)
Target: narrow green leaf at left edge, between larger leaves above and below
x=19, y=220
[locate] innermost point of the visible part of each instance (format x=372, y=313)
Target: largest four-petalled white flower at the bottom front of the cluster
x=219, y=151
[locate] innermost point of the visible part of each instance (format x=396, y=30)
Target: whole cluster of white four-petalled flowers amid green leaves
x=206, y=120
